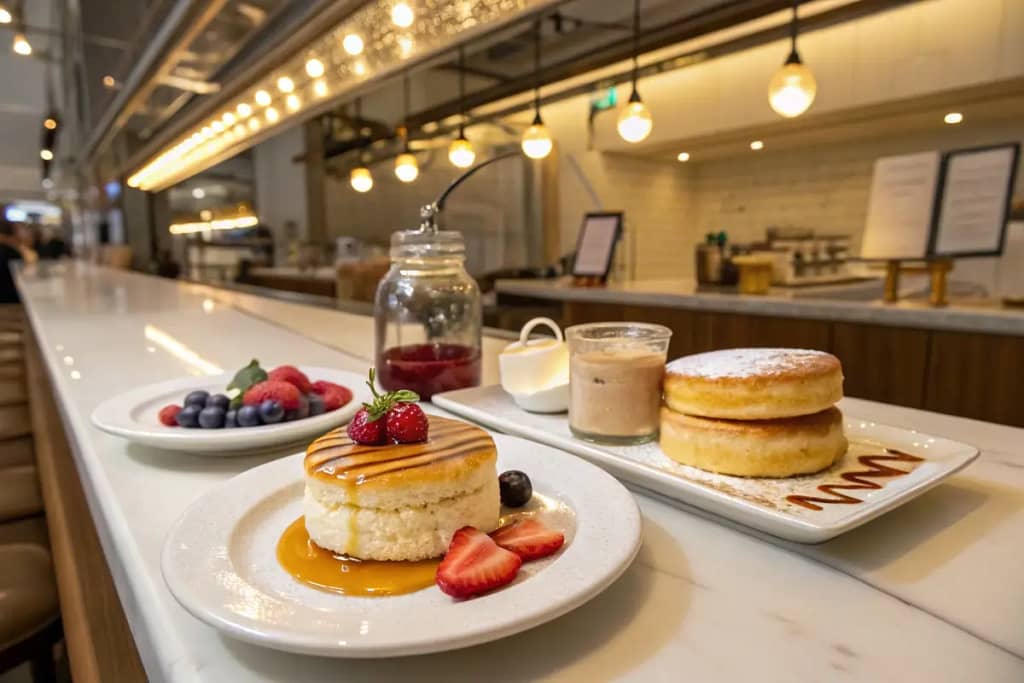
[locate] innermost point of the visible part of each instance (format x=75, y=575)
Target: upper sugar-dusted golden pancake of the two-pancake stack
x=754, y=383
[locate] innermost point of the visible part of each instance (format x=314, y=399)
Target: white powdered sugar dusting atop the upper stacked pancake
x=744, y=363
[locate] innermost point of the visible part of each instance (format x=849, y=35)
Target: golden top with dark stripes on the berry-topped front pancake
x=336, y=456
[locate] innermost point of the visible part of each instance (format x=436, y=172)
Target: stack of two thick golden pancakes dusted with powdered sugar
x=754, y=412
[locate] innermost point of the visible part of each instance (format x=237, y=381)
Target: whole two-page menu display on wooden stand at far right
x=934, y=204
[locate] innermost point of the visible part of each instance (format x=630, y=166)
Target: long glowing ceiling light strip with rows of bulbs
x=291, y=93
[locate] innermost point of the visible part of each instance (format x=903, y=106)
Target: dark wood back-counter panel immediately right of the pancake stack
x=883, y=364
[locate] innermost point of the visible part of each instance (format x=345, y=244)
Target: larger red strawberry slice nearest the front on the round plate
x=476, y=565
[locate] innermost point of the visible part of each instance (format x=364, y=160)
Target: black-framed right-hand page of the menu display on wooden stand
x=977, y=189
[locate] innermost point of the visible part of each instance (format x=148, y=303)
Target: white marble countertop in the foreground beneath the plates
x=930, y=592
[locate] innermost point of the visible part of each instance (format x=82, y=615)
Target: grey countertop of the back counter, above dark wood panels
x=859, y=303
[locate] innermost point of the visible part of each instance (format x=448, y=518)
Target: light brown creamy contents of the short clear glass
x=616, y=394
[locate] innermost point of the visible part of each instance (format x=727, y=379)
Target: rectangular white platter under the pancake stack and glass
x=887, y=480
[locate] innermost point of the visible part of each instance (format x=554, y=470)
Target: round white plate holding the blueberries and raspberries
x=133, y=415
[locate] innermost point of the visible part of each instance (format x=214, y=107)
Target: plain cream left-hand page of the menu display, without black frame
x=902, y=206
